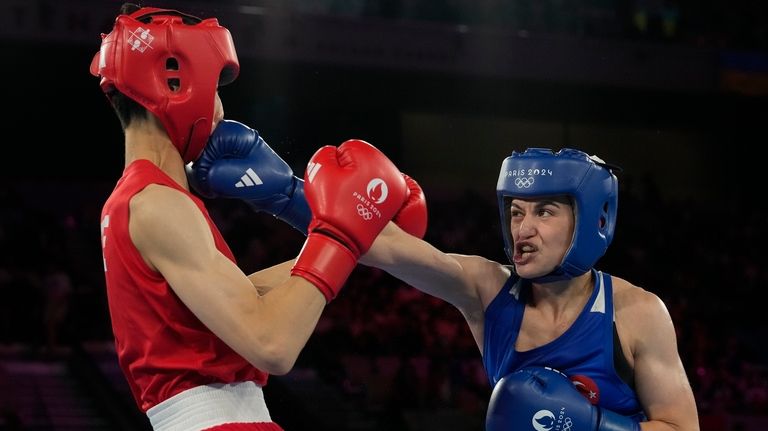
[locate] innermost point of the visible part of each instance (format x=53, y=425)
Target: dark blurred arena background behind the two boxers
x=674, y=91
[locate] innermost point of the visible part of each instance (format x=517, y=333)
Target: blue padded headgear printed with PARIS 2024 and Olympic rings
x=588, y=180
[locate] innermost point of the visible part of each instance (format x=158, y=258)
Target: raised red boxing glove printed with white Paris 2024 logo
x=353, y=191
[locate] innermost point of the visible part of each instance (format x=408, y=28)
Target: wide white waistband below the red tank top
x=210, y=405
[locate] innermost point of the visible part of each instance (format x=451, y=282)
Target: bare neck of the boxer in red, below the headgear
x=149, y=142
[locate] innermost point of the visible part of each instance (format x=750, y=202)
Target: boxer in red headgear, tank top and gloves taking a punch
x=196, y=338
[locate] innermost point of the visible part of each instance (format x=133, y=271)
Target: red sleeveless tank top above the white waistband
x=162, y=347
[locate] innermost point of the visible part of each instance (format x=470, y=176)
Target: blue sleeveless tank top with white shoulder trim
x=586, y=348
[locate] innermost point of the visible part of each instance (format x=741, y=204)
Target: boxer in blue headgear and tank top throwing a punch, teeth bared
x=551, y=307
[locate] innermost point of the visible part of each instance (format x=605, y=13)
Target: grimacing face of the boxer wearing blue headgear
x=542, y=230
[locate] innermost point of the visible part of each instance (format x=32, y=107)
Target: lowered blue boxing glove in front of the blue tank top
x=544, y=399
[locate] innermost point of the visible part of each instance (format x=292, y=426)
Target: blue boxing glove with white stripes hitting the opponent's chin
x=237, y=163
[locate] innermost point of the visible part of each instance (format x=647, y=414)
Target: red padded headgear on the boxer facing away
x=171, y=63
